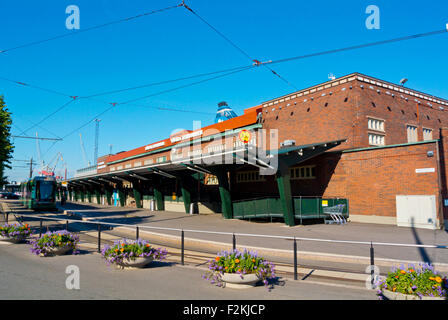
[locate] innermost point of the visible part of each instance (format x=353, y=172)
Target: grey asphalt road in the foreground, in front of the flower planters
x=26, y=276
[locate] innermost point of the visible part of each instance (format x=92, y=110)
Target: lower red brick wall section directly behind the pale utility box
x=371, y=179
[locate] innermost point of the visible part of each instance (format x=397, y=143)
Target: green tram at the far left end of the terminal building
x=39, y=193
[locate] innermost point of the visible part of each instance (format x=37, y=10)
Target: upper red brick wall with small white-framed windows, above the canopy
x=339, y=112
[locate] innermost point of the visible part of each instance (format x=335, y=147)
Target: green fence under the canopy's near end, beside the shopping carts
x=304, y=207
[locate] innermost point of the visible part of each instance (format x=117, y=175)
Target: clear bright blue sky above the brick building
x=174, y=44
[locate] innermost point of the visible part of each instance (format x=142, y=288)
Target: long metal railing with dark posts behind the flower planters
x=233, y=235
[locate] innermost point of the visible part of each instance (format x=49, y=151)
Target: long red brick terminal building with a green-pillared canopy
x=375, y=149
